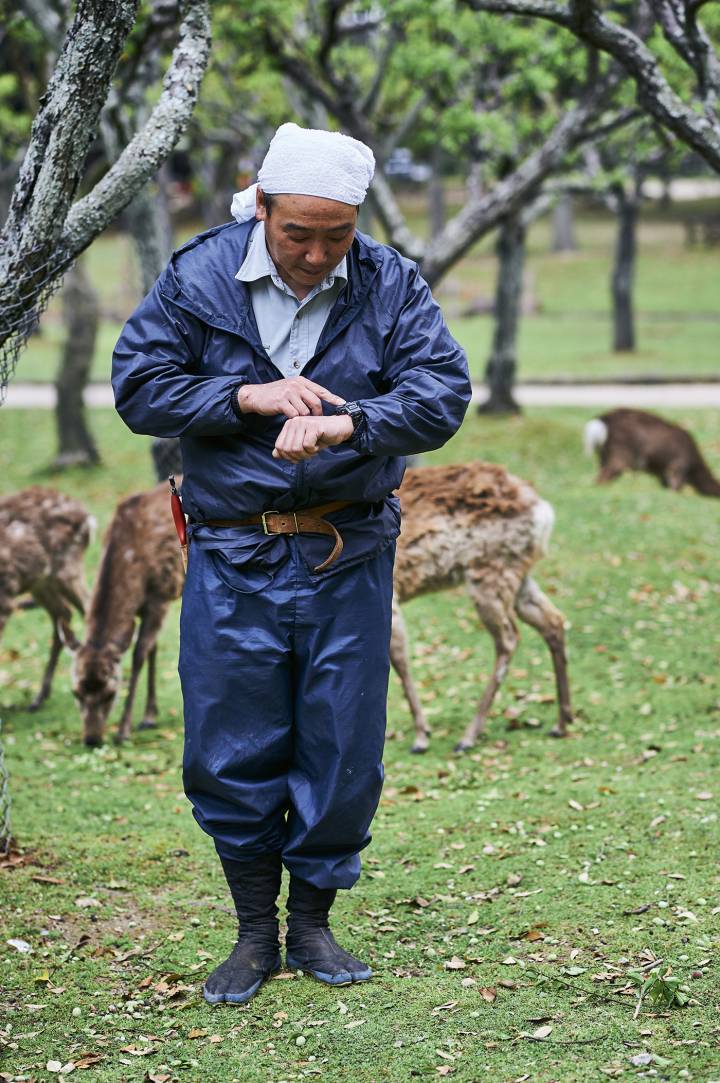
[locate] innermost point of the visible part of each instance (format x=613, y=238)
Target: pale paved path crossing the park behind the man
x=652, y=396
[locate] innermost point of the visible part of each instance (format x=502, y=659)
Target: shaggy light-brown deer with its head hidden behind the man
x=477, y=525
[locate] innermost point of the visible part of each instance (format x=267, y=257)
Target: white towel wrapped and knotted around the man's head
x=309, y=162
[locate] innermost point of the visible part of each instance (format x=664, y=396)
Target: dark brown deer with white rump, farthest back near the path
x=635, y=440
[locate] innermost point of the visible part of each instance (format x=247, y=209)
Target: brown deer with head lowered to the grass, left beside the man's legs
x=140, y=576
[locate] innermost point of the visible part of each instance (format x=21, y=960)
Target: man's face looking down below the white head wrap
x=307, y=237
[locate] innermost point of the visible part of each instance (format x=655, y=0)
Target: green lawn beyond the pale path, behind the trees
x=678, y=320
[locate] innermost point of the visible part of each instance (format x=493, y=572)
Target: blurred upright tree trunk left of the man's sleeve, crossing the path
x=81, y=310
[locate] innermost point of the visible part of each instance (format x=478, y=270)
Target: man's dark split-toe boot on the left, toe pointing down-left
x=254, y=886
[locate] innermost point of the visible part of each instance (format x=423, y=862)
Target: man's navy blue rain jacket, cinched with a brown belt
x=194, y=341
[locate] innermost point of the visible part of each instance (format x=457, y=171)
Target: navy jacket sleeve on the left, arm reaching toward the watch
x=159, y=390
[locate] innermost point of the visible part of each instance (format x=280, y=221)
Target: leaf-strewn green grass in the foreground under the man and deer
x=507, y=894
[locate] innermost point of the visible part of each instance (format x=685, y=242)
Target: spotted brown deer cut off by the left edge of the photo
x=44, y=537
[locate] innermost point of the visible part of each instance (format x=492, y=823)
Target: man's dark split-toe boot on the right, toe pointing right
x=311, y=947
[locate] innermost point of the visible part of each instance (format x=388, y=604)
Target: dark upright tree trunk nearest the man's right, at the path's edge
x=501, y=370
